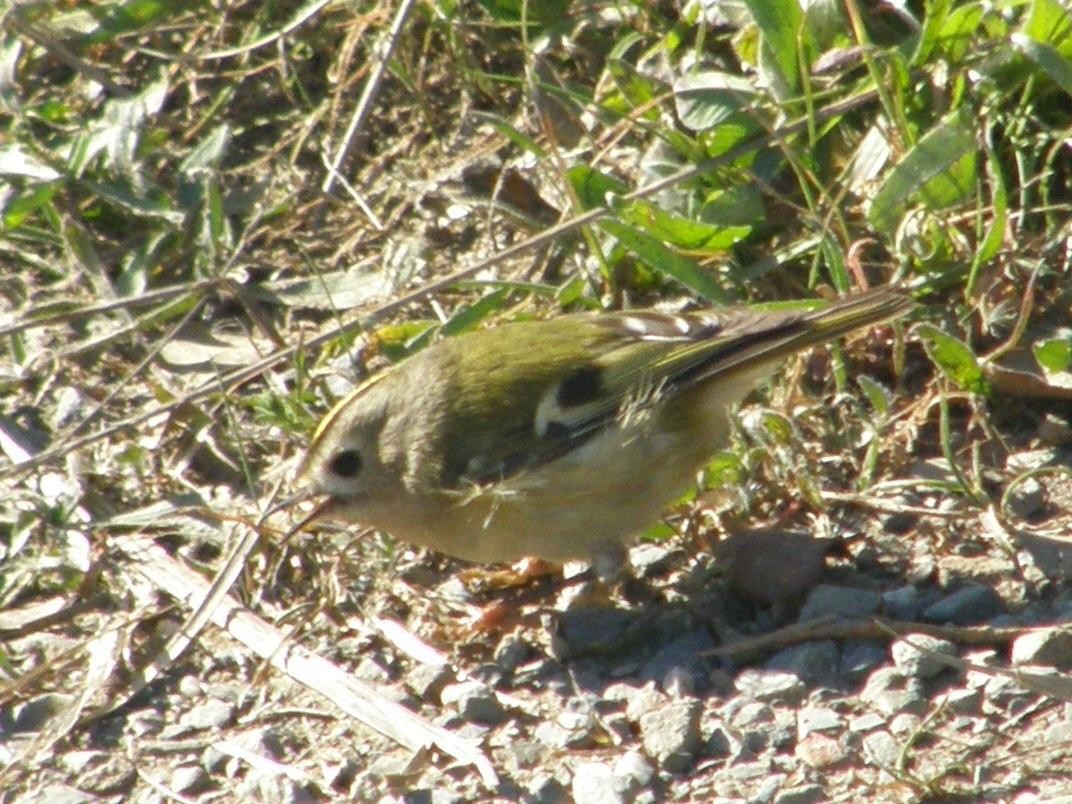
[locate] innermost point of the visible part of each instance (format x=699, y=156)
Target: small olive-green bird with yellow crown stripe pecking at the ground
x=561, y=439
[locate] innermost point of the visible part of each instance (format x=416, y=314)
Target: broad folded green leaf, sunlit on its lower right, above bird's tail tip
x=941, y=168
